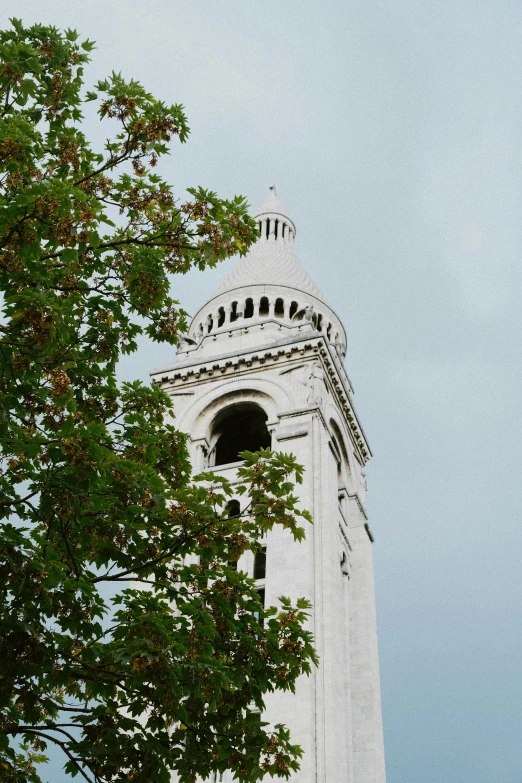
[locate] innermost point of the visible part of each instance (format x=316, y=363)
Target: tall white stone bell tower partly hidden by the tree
x=263, y=364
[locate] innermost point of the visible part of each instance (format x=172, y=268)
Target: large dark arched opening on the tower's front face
x=240, y=427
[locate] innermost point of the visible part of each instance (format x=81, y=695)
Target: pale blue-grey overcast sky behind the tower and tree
x=393, y=131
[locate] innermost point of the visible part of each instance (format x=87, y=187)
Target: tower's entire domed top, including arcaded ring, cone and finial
x=267, y=296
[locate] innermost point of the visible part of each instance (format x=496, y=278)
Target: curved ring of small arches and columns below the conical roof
x=266, y=307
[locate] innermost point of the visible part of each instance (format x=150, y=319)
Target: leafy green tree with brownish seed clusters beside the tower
x=95, y=481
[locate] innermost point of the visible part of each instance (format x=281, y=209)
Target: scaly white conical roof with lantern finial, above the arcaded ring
x=271, y=260
